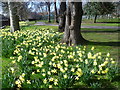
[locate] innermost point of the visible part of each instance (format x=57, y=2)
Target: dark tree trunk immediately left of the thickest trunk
x=62, y=16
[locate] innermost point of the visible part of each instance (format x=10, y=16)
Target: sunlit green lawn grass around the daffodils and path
x=93, y=36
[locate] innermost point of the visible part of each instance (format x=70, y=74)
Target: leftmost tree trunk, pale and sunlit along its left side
x=14, y=18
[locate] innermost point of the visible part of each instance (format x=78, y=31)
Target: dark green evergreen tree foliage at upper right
x=98, y=8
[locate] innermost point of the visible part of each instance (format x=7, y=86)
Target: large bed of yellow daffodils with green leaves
x=44, y=63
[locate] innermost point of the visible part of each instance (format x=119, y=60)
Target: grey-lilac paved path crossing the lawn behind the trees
x=83, y=26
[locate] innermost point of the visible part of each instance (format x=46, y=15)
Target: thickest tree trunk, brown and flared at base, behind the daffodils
x=72, y=34
